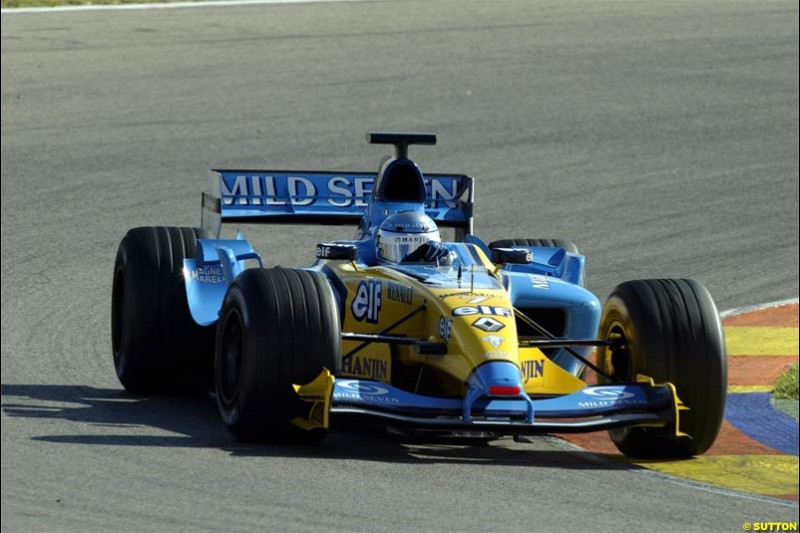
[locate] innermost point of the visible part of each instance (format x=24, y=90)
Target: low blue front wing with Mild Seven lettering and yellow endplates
x=596, y=407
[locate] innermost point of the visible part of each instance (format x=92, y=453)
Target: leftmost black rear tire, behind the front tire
x=157, y=346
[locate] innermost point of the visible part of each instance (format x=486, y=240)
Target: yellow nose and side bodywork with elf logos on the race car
x=449, y=316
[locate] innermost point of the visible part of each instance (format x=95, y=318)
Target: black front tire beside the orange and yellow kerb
x=670, y=331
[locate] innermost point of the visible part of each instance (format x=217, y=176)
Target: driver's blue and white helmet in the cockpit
x=402, y=233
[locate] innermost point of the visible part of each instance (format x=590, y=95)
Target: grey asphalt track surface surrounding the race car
x=661, y=136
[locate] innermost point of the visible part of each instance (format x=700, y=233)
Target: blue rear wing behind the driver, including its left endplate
x=289, y=197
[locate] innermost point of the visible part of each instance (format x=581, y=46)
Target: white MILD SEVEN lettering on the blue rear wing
x=320, y=190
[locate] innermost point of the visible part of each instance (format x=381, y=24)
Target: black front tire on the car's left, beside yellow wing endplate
x=277, y=327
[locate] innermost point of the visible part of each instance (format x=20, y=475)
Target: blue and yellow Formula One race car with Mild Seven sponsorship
x=398, y=327
